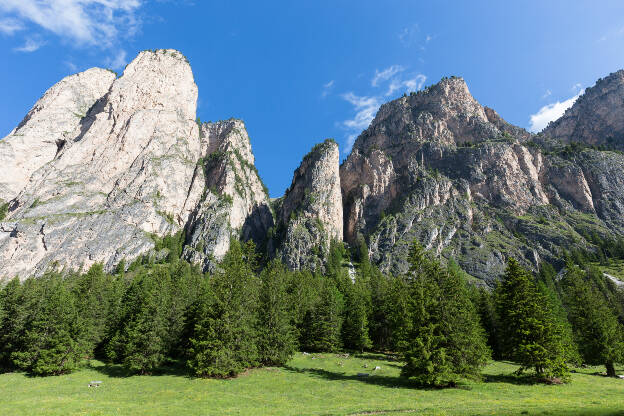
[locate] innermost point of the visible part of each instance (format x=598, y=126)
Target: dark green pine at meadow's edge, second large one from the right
x=530, y=334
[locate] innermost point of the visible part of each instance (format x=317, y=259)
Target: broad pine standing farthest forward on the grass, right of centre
x=444, y=339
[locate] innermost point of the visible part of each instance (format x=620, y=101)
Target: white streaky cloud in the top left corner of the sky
x=84, y=22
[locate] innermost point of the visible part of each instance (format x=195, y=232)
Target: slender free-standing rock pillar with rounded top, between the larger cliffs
x=309, y=215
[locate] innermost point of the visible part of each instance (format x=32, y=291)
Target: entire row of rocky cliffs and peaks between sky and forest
x=103, y=168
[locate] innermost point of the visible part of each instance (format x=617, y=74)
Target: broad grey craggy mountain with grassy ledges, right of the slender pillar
x=438, y=167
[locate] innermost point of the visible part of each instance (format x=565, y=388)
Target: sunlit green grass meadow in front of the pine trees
x=326, y=385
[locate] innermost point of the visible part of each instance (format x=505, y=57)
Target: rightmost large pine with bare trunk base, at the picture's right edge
x=599, y=335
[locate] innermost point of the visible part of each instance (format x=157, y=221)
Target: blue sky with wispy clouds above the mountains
x=300, y=71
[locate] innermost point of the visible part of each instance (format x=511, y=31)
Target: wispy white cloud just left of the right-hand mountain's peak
x=365, y=107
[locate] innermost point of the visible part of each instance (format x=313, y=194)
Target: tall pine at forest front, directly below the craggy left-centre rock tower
x=224, y=342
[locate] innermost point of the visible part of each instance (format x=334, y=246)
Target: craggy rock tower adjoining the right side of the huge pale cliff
x=235, y=202
